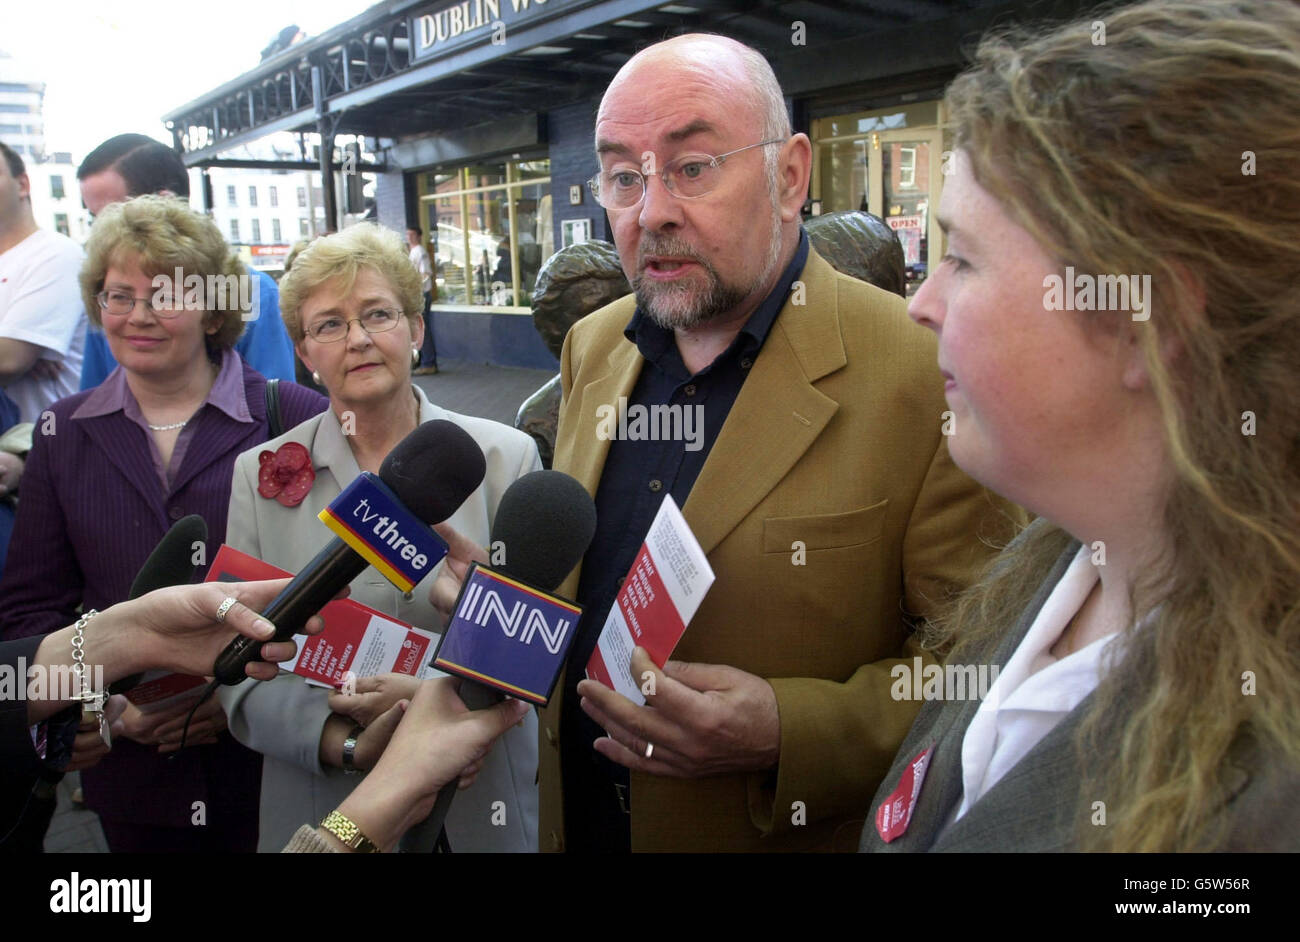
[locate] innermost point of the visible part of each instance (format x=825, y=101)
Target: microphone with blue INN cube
x=508, y=635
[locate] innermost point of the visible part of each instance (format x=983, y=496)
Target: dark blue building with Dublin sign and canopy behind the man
x=484, y=115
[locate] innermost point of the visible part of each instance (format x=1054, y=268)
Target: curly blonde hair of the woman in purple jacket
x=163, y=236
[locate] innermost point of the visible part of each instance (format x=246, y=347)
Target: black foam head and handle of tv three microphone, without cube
x=431, y=472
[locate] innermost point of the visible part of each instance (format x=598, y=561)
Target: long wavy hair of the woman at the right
x=1169, y=149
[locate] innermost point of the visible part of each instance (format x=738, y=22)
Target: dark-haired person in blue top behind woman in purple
x=132, y=166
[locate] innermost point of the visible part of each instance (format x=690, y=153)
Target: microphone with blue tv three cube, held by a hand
x=379, y=520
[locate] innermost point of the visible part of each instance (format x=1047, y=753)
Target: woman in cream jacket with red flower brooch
x=354, y=307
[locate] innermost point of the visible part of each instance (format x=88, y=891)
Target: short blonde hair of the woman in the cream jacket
x=337, y=259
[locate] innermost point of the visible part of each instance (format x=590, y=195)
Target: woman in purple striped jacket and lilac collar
x=111, y=471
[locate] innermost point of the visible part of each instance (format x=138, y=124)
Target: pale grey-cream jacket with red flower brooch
x=283, y=719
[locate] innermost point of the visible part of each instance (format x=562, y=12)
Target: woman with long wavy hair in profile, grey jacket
x=1120, y=329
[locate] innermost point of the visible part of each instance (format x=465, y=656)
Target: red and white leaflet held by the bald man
x=660, y=597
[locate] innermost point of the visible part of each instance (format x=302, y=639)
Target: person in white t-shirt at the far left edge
x=42, y=319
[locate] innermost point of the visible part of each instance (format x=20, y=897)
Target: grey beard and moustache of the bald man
x=682, y=306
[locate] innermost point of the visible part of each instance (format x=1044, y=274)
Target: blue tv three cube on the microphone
x=371, y=519
